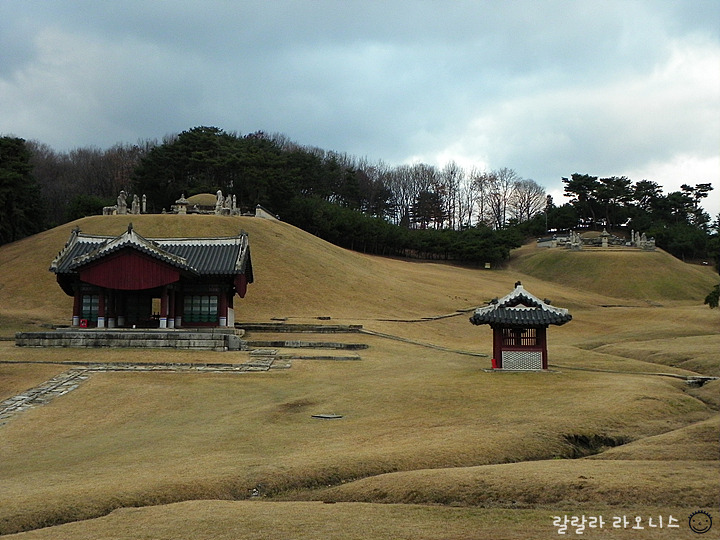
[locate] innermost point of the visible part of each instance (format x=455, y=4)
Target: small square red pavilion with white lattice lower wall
x=519, y=321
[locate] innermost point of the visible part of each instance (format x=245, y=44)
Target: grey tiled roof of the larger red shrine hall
x=200, y=256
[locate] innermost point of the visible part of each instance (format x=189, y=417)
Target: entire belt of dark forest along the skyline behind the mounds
x=416, y=210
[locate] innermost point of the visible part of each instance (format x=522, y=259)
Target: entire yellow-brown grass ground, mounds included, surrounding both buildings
x=430, y=444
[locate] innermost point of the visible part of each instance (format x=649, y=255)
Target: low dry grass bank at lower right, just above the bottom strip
x=579, y=484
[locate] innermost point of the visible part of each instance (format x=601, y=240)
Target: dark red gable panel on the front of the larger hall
x=129, y=270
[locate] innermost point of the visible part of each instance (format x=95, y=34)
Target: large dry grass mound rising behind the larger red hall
x=296, y=273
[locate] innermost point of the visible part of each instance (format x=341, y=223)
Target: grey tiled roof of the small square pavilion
x=520, y=309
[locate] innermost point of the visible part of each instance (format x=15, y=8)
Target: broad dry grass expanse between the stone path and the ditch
x=135, y=439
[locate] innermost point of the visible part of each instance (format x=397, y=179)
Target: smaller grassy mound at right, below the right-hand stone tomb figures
x=631, y=274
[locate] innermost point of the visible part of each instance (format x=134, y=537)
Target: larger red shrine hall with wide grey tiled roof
x=129, y=281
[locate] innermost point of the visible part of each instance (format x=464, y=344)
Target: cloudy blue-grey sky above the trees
x=545, y=87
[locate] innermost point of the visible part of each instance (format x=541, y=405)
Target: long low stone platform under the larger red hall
x=206, y=339
